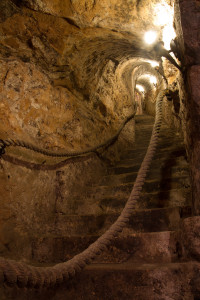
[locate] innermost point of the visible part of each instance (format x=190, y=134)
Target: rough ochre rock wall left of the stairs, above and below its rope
x=61, y=89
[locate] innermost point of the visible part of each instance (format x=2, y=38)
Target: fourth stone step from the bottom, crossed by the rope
x=114, y=198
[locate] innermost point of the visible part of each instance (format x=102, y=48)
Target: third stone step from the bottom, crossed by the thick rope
x=142, y=220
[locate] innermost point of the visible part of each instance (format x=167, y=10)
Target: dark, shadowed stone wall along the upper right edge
x=187, y=26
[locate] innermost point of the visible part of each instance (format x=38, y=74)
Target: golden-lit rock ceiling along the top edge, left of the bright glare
x=118, y=14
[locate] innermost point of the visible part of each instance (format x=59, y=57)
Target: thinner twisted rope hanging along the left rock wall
x=12, y=142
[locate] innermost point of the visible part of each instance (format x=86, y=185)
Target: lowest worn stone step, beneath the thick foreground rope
x=126, y=281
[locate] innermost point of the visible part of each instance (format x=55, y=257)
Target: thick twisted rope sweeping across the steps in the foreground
x=12, y=272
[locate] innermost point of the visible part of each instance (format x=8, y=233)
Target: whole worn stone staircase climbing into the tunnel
x=145, y=261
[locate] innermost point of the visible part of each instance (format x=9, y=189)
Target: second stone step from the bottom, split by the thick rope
x=133, y=247
